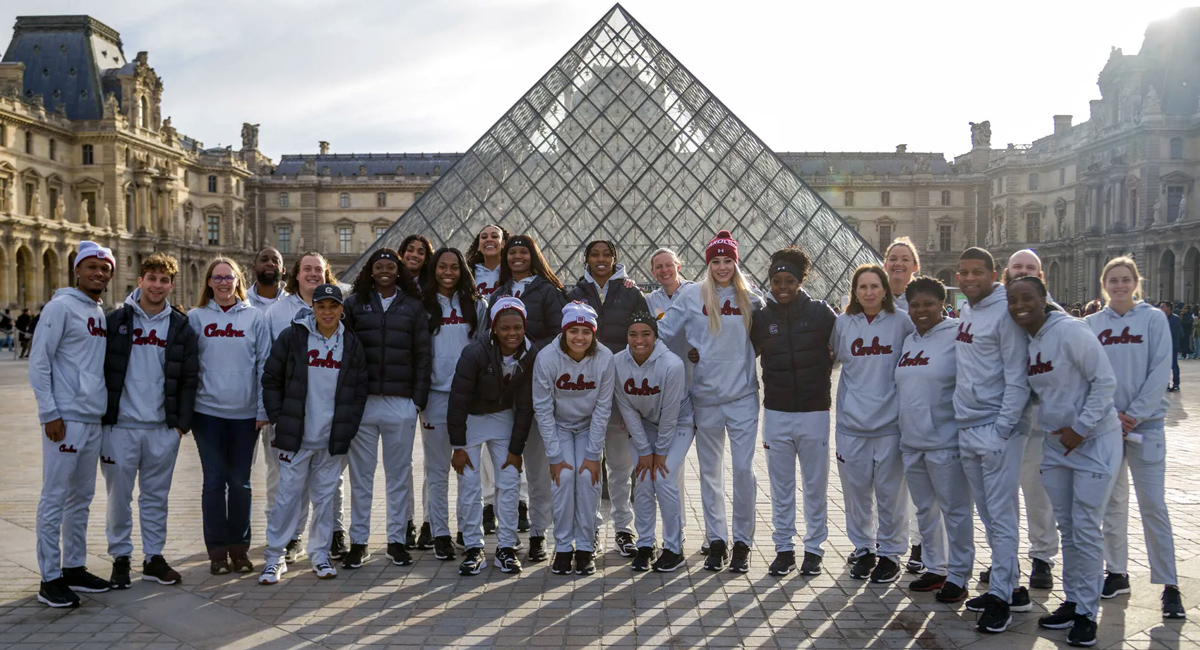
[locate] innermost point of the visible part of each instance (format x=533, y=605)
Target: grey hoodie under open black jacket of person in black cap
x=325, y=365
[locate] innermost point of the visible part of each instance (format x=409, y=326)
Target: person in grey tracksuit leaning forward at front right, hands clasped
x=1072, y=376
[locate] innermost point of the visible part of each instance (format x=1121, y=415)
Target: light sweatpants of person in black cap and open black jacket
x=307, y=471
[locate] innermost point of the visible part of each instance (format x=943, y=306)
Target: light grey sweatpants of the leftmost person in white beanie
x=69, y=483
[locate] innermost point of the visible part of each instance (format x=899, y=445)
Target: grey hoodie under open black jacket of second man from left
x=142, y=400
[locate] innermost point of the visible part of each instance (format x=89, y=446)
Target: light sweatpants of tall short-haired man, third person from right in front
x=994, y=467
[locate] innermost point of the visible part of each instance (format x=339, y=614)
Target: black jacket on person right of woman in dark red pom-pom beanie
x=794, y=341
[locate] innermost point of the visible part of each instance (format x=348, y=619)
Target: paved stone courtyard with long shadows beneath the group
x=429, y=606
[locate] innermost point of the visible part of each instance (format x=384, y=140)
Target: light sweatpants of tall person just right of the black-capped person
x=392, y=420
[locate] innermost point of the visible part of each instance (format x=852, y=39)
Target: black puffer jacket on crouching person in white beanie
x=479, y=389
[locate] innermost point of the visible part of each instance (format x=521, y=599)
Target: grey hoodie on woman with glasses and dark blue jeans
x=235, y=347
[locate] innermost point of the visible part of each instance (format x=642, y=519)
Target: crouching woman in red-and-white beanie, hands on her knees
x=573, y=382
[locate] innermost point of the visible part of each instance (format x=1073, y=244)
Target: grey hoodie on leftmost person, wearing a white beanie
x=67, y=363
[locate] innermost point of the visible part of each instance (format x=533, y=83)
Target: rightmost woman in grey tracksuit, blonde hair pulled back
x=1138, y=342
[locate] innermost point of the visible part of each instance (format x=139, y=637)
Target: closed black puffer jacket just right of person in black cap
x=398, y=345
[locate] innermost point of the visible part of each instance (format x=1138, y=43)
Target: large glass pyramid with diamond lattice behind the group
x=620, y=142
